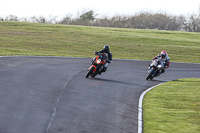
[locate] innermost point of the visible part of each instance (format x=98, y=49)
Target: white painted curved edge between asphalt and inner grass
x=140, y=118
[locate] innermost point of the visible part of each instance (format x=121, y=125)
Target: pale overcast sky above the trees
x=27, y=8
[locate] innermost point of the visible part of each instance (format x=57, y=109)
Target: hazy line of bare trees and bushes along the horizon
x=143, y=20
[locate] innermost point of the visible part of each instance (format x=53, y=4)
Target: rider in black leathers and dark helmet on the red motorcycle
x=105, y=50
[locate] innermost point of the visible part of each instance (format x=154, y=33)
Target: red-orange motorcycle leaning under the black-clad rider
x=96, y=65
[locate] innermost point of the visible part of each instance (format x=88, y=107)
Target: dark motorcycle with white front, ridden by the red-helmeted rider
x=155, y=69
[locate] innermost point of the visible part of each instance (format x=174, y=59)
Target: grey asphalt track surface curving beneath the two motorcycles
x=52, y=95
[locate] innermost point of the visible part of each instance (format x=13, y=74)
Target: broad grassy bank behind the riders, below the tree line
x=19, y=38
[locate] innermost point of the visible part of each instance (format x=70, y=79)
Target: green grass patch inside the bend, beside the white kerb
x=173, y=107
